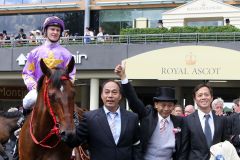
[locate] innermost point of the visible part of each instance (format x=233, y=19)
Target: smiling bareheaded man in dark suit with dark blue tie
x=203, y=128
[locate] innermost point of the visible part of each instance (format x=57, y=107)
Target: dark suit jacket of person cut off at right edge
x=234, y=130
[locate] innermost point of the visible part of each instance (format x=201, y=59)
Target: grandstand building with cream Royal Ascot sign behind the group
x=179, y=64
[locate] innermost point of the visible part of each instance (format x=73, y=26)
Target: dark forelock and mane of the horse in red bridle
x=55, y=78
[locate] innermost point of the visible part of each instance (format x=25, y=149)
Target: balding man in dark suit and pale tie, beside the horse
x=111, y=132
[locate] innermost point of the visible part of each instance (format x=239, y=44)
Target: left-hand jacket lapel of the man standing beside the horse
x=103, y=122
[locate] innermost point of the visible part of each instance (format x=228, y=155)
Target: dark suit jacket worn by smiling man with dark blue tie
x=194, y=142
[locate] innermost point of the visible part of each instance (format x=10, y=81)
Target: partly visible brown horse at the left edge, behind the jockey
x=8, y=124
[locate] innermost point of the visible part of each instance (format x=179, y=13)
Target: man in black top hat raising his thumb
x=160, y=131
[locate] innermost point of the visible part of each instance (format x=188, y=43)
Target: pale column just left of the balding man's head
x=94, y=94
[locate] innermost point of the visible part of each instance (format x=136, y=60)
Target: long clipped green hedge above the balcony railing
x=209, y=29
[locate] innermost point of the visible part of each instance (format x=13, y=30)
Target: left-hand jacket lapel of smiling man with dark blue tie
x=199, y=129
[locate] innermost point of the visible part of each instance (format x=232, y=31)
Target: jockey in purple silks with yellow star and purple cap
x=53, y=55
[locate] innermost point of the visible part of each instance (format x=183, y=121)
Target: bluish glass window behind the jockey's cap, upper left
x=29, y=22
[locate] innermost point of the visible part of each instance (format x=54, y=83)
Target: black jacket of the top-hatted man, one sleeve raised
x=149, y=118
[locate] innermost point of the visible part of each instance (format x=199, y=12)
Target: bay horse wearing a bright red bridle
x=51, y=117
